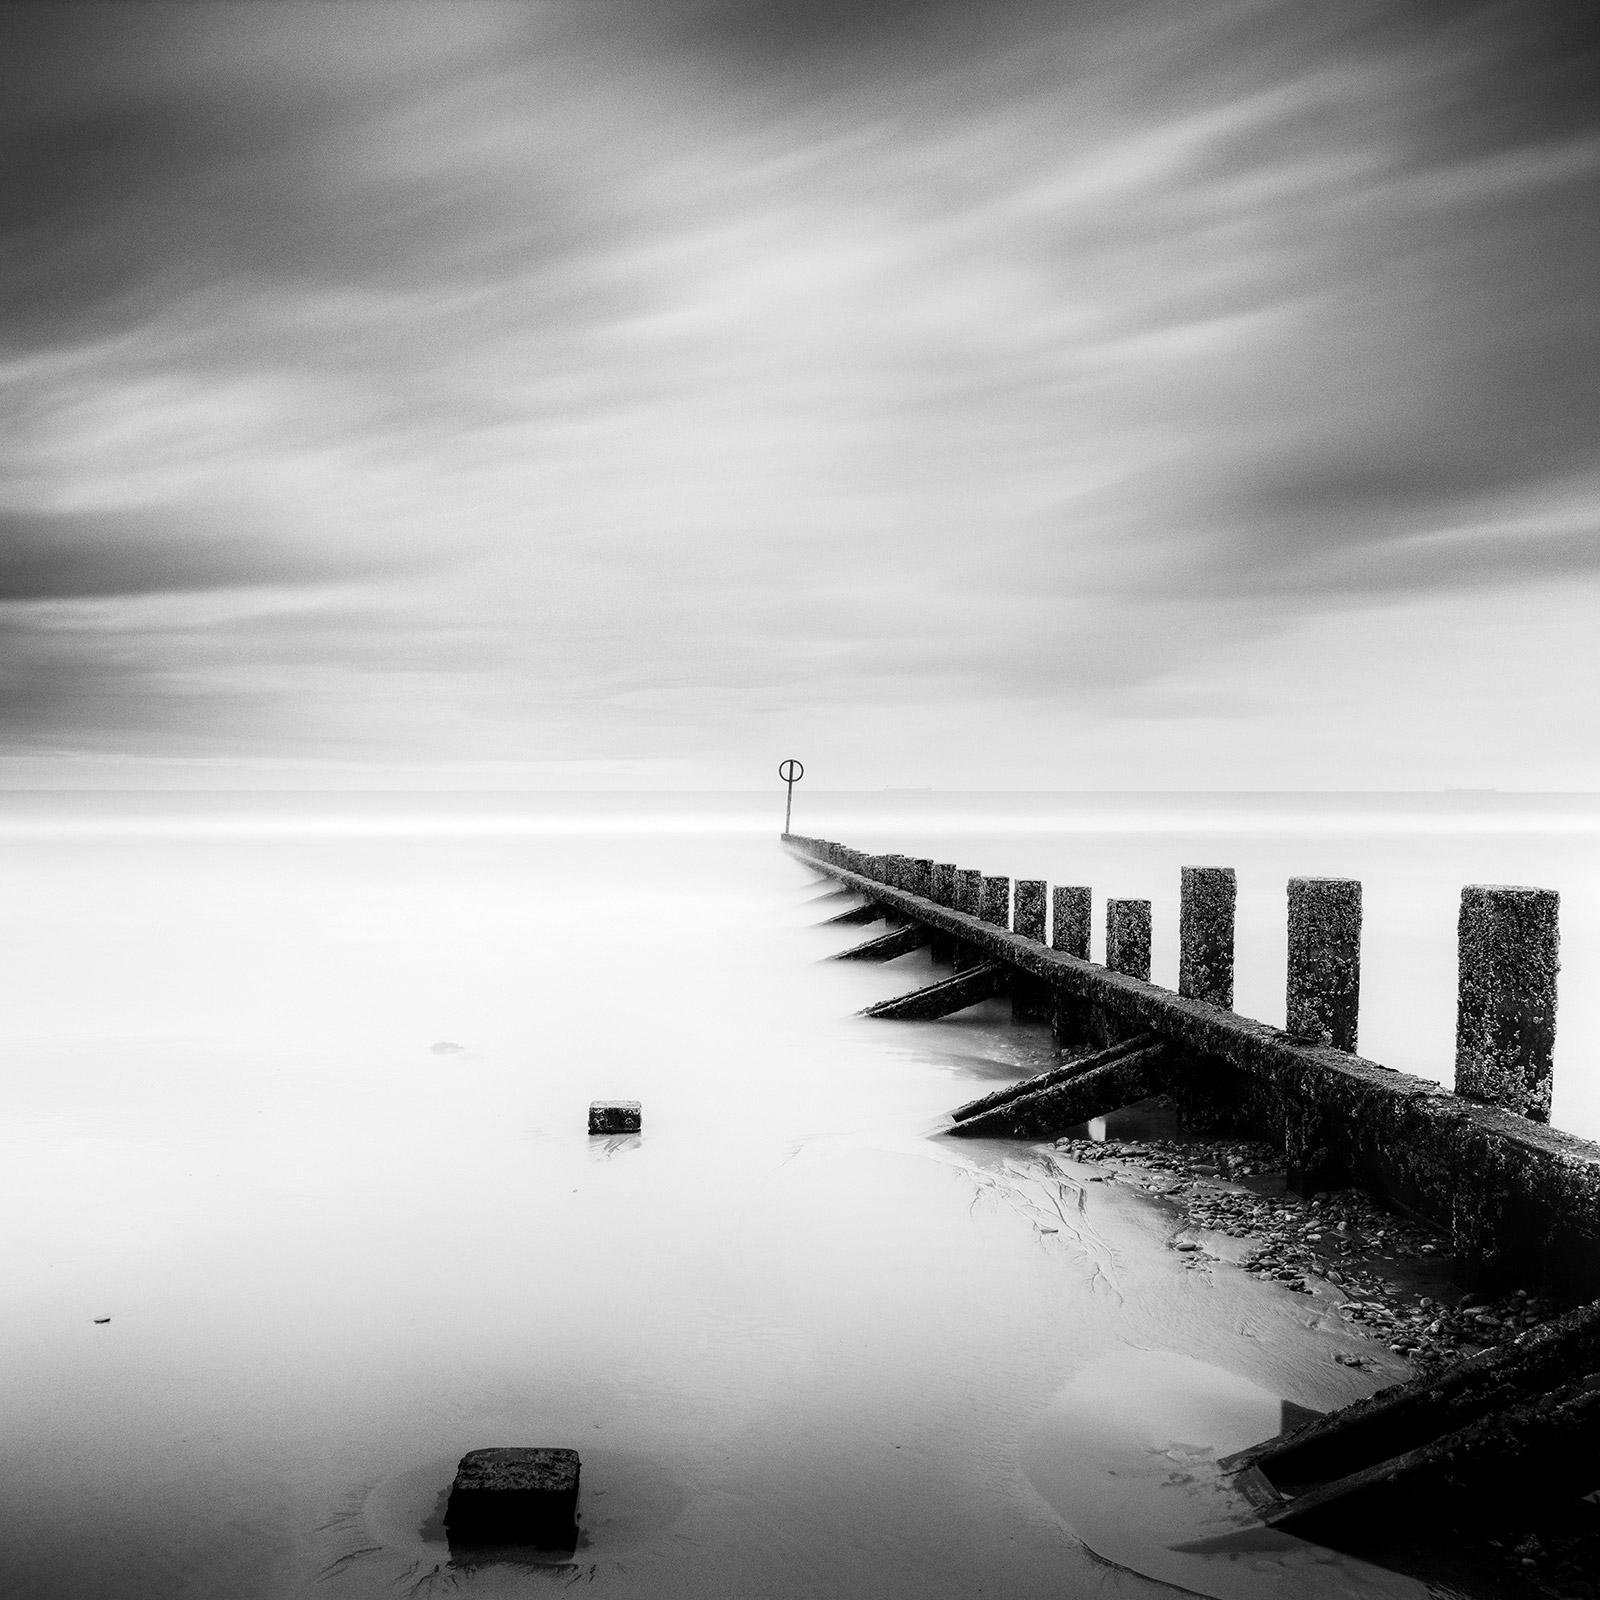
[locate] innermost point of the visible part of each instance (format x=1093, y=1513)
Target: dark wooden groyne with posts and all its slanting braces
x=1503, y=1436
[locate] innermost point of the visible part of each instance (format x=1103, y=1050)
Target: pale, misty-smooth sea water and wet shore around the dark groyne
x=303, y=1207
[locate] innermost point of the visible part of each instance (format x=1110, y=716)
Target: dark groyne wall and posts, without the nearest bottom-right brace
x=1519, y=1201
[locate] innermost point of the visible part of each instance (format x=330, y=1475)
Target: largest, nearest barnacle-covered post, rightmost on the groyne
x=1508, y=958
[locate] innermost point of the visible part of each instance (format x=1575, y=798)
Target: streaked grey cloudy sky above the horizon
x=1095, y=394
